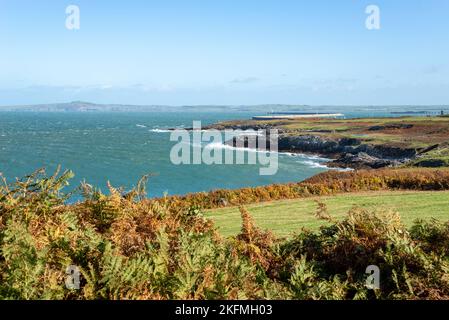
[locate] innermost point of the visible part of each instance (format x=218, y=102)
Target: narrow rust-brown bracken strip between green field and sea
x=327, y=183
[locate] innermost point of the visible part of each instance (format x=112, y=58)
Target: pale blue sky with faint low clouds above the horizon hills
x=220, y=52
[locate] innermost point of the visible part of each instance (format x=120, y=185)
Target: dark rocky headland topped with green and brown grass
x=357, y=143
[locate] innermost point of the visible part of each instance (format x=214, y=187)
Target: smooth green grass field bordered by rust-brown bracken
x=288, y=216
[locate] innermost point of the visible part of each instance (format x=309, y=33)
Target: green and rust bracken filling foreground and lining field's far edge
x=127, y=247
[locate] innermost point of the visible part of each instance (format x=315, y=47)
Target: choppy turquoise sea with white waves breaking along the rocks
x=121, y=147
